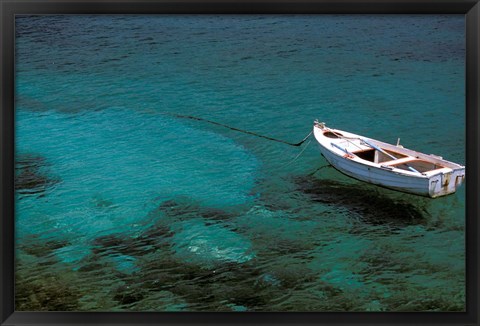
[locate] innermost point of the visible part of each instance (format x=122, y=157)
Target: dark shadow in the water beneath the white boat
x=372, y=207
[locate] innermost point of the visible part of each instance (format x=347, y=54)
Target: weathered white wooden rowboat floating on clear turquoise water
x=390, y=166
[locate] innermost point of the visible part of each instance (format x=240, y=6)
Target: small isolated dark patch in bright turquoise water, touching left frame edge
x=29, y=177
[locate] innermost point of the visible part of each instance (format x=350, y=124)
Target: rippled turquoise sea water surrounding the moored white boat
x=121, y=207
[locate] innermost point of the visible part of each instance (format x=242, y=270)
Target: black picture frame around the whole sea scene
x=10, y=8
